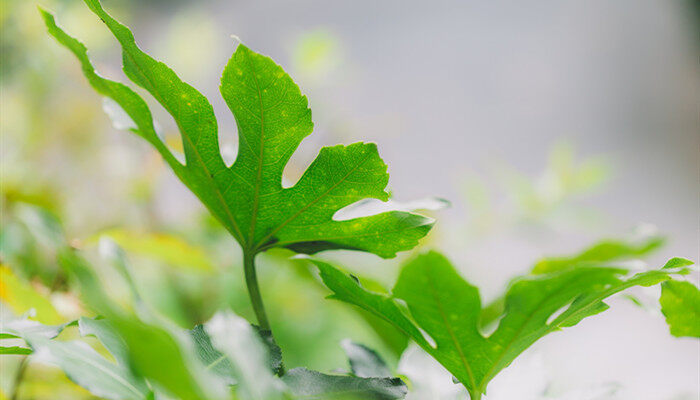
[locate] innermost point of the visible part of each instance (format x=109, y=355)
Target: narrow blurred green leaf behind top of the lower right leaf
x=603, y=251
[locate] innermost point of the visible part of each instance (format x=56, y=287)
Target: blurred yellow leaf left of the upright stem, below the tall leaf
x=169, y=250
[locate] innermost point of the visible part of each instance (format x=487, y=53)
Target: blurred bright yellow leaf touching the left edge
x=22, y=297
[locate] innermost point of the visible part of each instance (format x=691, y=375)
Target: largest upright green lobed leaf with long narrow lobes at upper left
x=272, y=118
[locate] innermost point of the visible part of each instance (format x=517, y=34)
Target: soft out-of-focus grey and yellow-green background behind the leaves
x=547, y=125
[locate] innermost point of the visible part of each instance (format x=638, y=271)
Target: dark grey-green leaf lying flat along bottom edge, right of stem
x=306, y=384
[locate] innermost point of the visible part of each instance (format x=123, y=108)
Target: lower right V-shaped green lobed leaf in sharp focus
x=447, y=308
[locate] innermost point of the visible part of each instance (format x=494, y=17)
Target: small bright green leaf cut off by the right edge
x=680, y=303
